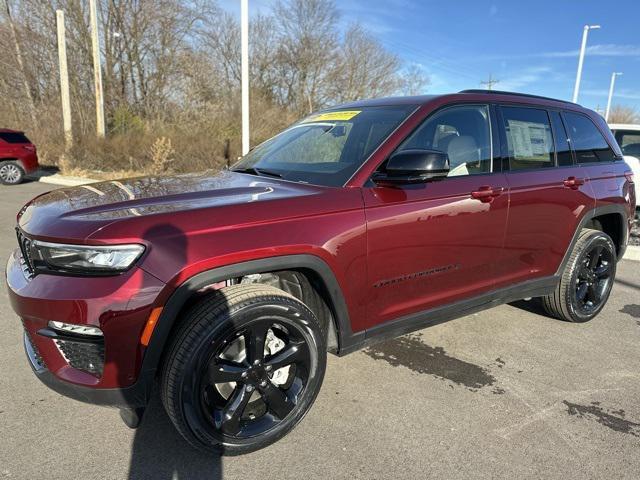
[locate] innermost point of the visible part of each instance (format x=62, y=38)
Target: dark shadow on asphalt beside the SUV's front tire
x=159, y=452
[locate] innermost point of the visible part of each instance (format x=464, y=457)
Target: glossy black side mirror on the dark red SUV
x=413, y=166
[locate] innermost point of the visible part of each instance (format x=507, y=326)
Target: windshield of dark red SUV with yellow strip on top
x=325, y=148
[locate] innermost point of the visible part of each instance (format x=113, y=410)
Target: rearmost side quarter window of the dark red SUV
x=589, y=144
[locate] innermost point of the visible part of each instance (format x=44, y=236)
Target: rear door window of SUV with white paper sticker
x=529, y=138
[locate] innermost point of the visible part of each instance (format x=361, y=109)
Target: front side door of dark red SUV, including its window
x=438, y=242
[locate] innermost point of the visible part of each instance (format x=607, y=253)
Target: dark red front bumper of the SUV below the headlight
x=118, y=305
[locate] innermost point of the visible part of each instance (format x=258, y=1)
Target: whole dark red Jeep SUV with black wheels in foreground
x=356, y=224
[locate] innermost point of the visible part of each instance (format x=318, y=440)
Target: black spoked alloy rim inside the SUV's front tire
x=250, y=391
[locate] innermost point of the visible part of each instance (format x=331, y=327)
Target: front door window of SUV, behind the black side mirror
x=463, y=133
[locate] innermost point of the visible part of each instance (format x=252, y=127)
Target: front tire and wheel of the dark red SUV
x=244, y=368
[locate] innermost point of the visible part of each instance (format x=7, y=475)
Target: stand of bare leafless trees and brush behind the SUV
x=171, y=71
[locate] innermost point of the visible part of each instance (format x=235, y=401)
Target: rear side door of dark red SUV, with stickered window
x=548, y=192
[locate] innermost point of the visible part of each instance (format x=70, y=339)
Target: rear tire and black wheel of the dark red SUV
x=587, y=279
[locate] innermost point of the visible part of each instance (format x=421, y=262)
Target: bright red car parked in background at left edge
x=18, y=156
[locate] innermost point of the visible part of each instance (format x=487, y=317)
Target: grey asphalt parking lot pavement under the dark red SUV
x=506, y=393
